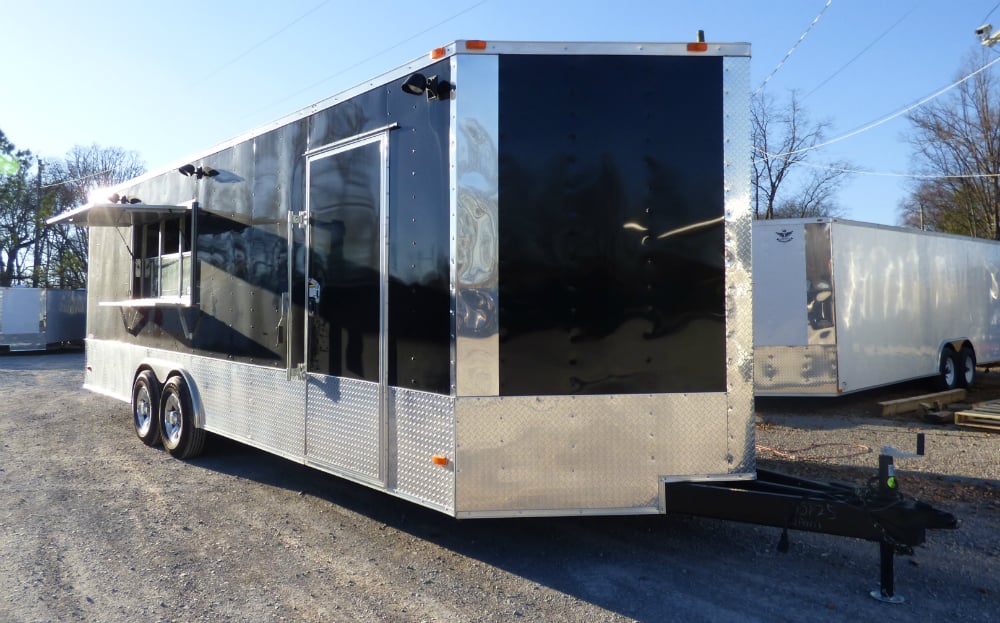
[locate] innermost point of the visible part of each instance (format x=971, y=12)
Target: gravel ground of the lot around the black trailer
x=94, y=526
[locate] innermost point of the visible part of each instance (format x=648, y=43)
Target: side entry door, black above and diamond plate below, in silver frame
x=345, y=307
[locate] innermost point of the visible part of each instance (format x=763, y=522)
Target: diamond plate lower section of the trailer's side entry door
x=343, y=426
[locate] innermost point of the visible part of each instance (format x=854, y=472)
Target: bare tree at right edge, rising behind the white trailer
x=956, y=141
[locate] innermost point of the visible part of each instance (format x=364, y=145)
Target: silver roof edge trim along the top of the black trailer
x=456, y=48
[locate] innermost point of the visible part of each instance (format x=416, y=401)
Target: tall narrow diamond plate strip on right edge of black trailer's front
x=739, y=234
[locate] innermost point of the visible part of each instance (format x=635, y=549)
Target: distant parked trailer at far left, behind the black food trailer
x=33, y=319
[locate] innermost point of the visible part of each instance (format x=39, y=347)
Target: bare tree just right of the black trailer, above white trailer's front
x=786, y=182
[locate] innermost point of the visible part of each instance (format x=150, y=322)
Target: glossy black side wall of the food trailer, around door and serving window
x=243, y=249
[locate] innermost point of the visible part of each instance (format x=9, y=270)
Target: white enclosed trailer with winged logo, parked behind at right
x=842, y=306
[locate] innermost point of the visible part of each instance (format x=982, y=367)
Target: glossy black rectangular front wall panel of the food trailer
x=611, y=235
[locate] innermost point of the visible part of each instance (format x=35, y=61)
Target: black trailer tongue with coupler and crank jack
x=877, y=511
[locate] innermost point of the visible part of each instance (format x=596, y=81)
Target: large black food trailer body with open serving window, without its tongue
x=477, y=282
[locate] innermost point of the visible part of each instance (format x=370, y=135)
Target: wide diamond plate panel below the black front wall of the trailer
x=539, y=454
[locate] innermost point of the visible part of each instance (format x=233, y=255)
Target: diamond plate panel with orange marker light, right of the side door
x=425, y=427
